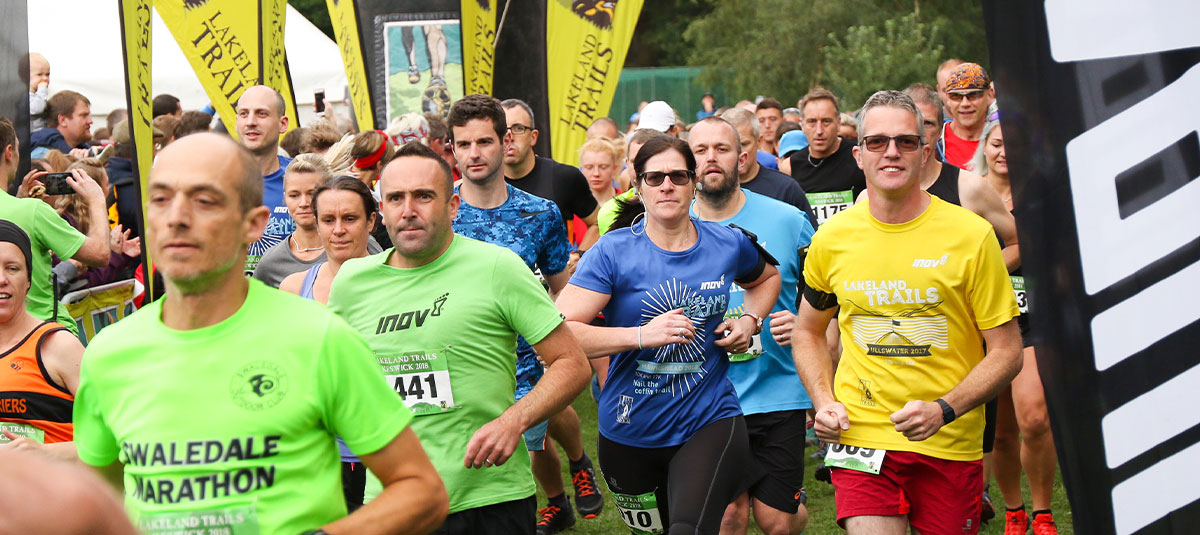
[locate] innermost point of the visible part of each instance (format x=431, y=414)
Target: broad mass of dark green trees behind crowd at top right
x=779, y=47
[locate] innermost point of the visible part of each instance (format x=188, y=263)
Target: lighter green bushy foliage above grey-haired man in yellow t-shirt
x=892, y=56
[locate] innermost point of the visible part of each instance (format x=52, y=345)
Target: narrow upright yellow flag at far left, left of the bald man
x=136, y=17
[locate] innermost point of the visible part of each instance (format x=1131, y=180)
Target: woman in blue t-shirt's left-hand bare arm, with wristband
x=580, y=306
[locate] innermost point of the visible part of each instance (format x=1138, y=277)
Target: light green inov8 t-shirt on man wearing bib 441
x=445, y=335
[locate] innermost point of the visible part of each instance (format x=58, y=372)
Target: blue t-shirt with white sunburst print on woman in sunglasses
x=663, y=396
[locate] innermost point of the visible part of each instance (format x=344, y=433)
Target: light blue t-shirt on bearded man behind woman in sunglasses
x=769, y=383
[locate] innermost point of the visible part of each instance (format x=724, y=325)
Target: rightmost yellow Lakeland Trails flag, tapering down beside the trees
x=586, y=47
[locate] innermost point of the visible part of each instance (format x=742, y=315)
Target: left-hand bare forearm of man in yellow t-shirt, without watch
x=814, y=363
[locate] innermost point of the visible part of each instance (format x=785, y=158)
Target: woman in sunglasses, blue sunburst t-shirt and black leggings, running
x=674, y=446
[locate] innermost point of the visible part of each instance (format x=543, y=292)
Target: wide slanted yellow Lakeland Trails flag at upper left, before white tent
x=223, y=40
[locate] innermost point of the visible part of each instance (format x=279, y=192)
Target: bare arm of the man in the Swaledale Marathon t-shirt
x=413, y=500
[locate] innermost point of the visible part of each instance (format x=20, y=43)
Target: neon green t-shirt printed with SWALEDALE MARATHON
x=230, y=429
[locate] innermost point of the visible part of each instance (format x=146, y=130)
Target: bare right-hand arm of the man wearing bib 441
x=567, y=376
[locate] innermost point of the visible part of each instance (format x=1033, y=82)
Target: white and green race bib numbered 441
x=422, y=381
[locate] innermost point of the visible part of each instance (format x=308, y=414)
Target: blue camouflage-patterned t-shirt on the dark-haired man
x=533, y=229
